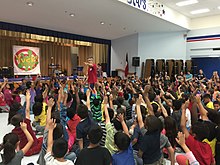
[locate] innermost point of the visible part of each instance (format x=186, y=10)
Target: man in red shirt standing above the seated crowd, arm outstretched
x=92, y=72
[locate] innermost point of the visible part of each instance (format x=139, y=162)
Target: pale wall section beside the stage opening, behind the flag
x=120, y=47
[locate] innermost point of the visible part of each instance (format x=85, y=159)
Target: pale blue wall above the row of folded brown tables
x=162, y=46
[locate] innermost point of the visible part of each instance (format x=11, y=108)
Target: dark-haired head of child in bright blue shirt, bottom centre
x=122, y=141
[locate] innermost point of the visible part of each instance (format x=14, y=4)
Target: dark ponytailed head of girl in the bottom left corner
x=10, y=144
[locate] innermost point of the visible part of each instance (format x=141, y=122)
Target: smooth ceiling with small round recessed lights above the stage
x=120, y=19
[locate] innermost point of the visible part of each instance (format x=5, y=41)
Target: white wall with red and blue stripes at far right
x=203, y=48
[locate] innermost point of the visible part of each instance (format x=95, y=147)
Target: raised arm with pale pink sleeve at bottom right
x=189, y=155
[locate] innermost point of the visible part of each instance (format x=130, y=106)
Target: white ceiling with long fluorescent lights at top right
x=185, y=10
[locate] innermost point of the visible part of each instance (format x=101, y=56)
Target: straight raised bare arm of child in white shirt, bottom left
x=51, y=126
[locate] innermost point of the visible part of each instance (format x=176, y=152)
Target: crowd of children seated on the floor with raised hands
x=117, y=121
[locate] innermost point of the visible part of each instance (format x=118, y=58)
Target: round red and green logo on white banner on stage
x=26, y=59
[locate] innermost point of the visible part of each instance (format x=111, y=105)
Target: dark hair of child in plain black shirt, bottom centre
x=95, y=134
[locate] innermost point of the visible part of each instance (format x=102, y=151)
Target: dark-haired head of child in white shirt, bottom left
x=60, y=147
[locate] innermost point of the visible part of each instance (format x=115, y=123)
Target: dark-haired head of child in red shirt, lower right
x=200, y=130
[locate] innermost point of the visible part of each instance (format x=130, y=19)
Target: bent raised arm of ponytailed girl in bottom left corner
x=28, y=136
